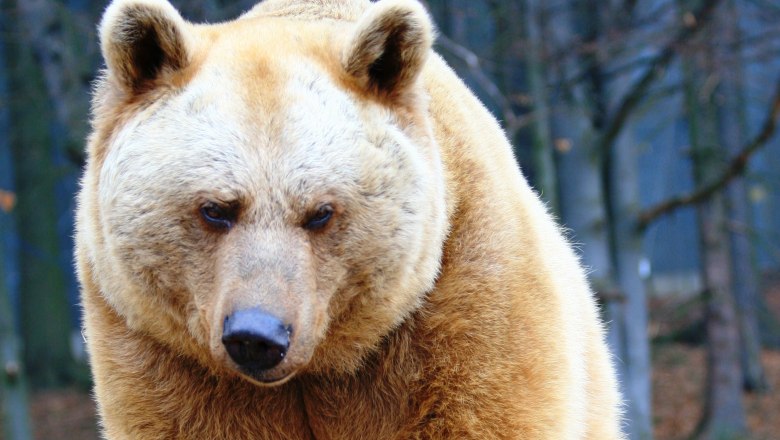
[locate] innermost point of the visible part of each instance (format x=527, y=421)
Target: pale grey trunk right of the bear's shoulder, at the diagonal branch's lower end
x=621, y=168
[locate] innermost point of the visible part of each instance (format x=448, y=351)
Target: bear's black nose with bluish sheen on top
x=255, y=340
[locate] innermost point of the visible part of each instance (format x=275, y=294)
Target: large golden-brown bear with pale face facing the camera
x=300, y=224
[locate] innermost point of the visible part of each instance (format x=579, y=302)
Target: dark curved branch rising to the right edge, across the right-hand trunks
x=736, y=167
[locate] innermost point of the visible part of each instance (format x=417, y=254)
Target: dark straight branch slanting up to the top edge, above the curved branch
x=693, y=22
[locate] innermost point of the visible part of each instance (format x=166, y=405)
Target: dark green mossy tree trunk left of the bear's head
x=45, y=320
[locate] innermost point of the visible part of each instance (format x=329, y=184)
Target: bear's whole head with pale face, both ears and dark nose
x=270, y=195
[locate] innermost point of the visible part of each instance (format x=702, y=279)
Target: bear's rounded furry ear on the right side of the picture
x=389, y=46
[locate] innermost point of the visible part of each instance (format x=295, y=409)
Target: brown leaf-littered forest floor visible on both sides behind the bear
x=678, y=387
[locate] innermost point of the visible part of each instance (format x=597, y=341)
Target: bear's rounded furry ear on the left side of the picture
x=140, y=40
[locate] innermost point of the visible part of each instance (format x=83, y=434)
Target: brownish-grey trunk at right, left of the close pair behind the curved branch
x=724, y=416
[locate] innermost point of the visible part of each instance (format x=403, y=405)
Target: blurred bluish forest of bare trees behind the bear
x=648, y=126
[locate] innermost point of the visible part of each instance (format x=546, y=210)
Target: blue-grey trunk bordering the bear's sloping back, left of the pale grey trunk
x=580, y=183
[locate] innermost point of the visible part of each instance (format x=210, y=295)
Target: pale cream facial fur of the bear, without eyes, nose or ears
x=280, y=153
